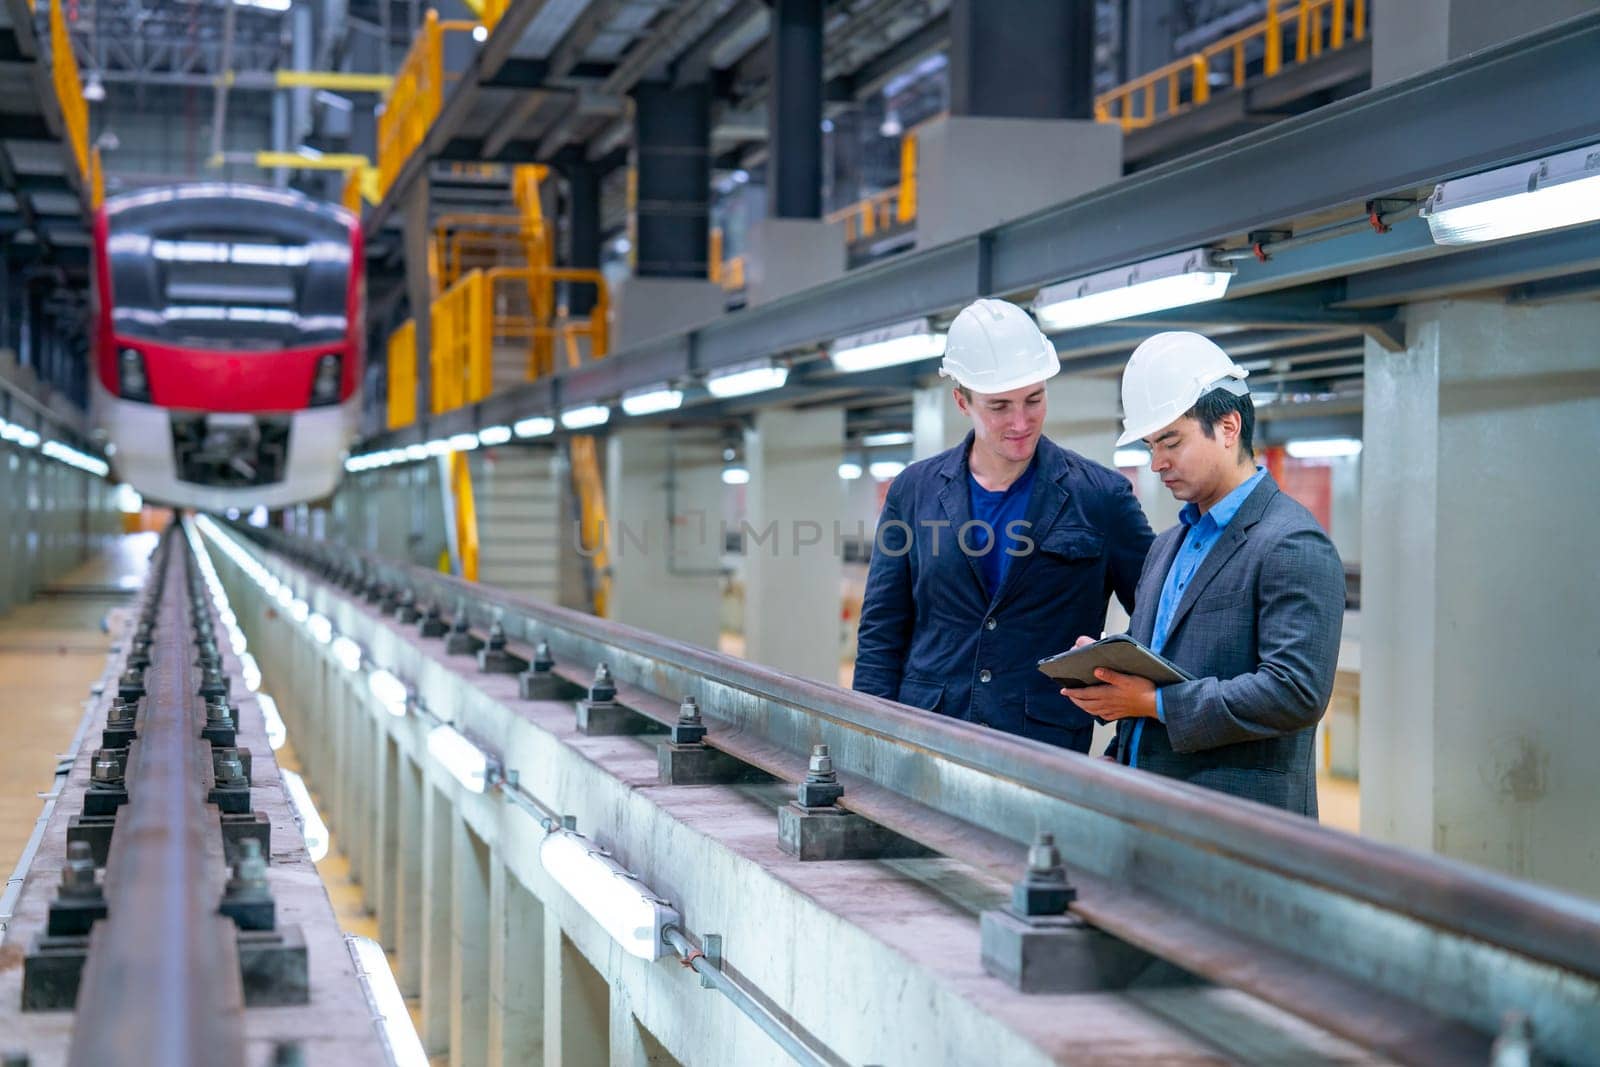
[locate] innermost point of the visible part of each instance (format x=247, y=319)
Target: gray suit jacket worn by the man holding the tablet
x=1258, y=629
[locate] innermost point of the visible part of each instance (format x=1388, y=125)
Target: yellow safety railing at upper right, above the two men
x=1185, y=84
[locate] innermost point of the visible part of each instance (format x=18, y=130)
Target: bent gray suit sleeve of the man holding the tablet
x=1300, y=596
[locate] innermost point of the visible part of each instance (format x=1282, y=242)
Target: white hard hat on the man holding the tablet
x=1167, y=375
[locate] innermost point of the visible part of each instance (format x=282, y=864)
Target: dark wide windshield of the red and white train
x=194, y=274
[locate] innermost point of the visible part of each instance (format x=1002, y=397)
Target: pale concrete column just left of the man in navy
x=793, y=572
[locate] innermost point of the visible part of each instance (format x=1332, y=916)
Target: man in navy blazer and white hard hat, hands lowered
x=998, y=553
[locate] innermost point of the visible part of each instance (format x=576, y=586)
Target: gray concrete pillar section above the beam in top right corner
x=1423, y=34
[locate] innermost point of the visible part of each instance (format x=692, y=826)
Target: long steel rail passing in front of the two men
x=1412, y=956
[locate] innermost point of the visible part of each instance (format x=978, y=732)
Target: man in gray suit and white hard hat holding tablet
x=1246, y=594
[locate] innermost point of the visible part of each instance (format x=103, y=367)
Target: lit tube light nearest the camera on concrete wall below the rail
x=612, y=895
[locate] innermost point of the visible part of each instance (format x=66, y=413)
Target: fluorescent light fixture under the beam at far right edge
x=1546, y=194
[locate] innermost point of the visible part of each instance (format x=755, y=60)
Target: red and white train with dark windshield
x=228, y=343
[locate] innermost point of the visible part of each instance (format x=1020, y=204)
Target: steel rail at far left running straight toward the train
x=162, y=981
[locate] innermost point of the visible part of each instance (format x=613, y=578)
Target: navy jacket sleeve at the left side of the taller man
x=887, y=609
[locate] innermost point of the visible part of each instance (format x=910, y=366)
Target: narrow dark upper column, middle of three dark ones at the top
x=794, y=118
